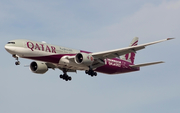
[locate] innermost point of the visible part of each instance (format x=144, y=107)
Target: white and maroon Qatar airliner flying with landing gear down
x=48, y=56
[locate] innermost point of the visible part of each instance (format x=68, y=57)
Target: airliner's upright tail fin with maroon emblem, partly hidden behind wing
x=131, y=56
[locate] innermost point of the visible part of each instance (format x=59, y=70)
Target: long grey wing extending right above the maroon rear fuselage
x=122, y=51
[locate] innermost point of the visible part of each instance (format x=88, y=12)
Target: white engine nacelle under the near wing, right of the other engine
x=84, y=58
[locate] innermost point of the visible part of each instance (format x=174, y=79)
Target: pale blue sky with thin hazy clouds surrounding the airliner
x=93, y=25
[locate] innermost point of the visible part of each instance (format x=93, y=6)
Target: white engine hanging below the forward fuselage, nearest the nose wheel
x=38, y=67
